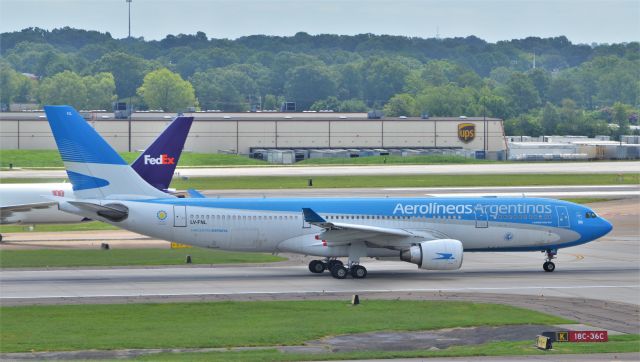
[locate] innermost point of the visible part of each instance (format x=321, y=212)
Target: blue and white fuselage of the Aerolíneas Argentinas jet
x=481, y=224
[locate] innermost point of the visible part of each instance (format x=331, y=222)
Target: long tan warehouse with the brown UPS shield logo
x=310, y=132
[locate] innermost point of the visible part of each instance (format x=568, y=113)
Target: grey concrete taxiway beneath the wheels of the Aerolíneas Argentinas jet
x=597, y=282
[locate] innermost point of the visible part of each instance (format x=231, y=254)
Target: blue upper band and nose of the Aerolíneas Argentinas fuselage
x=530, y=211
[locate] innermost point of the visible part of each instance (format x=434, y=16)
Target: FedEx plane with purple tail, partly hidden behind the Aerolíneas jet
x=24, y=204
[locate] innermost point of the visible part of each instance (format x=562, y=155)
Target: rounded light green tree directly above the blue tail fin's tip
x=63, y=88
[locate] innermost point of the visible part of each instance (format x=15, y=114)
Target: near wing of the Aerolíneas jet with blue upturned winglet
x=345, y=233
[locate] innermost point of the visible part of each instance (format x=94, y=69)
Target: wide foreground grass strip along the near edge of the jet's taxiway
x=229, y=324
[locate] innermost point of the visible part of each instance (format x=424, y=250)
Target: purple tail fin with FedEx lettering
x=158, y=162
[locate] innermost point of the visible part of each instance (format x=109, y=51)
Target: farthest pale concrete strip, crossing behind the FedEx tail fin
x=457, y=169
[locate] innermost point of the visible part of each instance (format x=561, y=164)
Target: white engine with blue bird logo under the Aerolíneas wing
x=441, y=254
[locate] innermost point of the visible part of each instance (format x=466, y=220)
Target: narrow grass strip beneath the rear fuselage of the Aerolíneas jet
x=42, y=258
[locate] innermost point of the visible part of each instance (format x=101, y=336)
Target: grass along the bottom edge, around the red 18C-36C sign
x=619, y=344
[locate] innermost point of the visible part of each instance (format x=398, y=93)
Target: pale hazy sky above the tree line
x=582, y=21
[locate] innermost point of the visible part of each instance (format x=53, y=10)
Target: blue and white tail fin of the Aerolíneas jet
x=94, y=168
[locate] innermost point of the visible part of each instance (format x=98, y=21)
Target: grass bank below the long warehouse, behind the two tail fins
x=51, y=158
